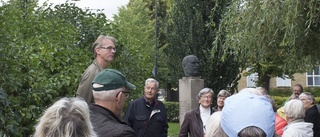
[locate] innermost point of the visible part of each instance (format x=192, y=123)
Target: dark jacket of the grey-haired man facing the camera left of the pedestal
x=147, y=120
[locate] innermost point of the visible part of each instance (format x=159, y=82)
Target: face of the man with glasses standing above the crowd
x=106, y=51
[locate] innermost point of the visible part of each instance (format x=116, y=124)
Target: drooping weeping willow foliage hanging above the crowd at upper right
x=273, y=38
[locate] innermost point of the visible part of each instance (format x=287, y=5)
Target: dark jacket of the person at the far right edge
x=313, y=116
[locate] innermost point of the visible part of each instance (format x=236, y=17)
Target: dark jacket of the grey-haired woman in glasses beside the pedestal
x=192, y=124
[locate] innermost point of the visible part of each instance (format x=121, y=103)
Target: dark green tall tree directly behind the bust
x=191, y=29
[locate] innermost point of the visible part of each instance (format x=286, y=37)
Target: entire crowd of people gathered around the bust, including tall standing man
x=97, y=110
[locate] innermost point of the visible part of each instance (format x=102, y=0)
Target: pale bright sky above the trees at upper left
x=110, y=6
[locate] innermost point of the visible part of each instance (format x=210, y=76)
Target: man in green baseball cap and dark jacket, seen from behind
x=110, y=90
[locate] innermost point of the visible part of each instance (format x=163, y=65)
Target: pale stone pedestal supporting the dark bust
x=189, y=88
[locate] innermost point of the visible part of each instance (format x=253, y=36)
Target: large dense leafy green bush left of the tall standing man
x=41, y=59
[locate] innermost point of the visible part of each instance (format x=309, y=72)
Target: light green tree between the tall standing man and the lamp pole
x=134, y=31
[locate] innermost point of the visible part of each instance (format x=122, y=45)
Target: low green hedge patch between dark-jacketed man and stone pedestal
x=172, y=111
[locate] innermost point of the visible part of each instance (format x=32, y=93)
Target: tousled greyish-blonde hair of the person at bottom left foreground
x=68, y=117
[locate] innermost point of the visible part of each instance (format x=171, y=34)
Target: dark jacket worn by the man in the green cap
x=106, y=124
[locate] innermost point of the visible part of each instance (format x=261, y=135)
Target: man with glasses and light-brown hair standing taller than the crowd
x=104, y=50
